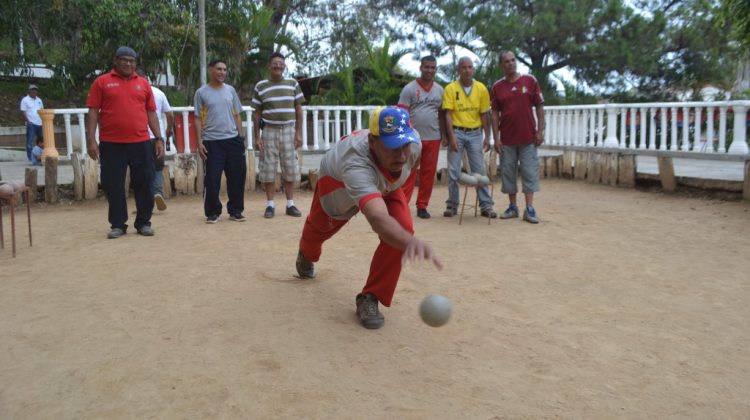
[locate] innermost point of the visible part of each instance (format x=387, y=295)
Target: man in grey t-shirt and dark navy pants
x=218, y=129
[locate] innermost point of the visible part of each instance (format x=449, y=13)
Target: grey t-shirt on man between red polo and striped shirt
x=216, y=109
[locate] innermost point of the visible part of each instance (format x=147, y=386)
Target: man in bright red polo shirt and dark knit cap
x=122, y=104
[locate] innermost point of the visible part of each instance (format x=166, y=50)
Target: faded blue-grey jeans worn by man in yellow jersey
x=472, y=142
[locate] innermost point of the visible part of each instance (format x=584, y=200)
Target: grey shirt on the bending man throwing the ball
x=349, y=177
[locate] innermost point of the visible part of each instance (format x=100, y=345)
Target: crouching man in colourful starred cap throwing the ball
x=365, y=172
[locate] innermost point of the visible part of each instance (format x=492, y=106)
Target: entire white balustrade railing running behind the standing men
x=700, y=127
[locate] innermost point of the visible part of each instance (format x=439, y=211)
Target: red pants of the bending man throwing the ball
x=385, y=267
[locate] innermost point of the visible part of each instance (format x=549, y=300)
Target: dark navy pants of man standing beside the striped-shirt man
x=226, y=156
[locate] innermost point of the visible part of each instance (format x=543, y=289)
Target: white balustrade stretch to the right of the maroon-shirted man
x=701, y=127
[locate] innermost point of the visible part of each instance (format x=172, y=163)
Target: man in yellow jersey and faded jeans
x=467, y=111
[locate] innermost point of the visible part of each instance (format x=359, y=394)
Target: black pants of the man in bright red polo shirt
x=115, y=158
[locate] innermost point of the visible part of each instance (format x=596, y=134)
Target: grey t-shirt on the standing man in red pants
x=423, y=106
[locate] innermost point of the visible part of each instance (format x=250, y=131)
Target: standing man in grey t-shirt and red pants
x=423, y=98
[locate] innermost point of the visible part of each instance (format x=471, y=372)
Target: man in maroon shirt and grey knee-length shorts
x=517, y=135
